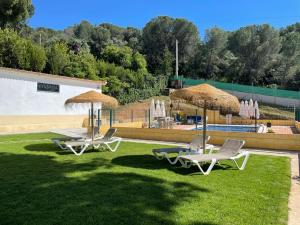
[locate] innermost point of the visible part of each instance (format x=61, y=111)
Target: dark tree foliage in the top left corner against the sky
x=14, y=13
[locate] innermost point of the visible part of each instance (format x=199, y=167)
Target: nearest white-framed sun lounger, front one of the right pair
x=231, y=150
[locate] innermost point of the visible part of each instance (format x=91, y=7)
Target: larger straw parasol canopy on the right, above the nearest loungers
x=216, y=98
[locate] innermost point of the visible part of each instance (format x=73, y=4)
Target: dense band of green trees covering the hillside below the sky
x=137, y=63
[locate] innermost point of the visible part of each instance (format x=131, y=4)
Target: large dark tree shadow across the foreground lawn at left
x=37, y=189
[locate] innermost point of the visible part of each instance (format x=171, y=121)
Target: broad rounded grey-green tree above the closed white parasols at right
x=256, y=47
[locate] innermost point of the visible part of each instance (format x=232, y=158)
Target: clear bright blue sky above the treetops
x=227, y=14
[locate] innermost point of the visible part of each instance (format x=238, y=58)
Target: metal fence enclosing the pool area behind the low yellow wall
x=280, y=121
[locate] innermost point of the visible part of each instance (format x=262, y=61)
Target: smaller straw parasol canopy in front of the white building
x=94, y=97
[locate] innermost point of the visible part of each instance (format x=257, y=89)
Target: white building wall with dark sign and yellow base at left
x=28, y=98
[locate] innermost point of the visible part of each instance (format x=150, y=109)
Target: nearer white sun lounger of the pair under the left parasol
x=78, y=147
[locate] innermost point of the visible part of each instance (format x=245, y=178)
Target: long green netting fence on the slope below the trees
x=243, y=88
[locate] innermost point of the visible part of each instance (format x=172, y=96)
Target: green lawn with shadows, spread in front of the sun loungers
x=40, y=184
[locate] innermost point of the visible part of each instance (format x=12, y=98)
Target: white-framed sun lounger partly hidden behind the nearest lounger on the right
x=195, y=147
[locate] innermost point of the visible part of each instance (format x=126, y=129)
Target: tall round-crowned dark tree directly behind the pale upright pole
x=161, y=33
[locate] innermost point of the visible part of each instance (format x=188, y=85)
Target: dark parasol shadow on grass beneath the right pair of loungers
x=151, y=163
